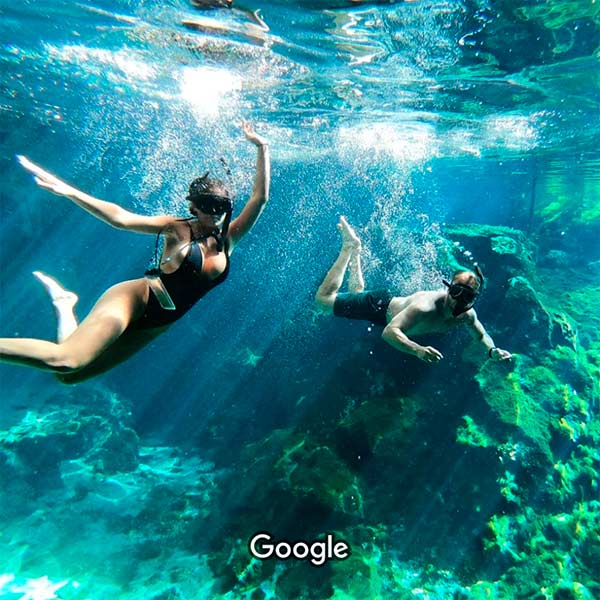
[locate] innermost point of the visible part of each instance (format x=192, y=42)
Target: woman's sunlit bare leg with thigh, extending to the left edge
x=109, y=318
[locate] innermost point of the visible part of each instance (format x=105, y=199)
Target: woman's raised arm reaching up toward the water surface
x=260, y=192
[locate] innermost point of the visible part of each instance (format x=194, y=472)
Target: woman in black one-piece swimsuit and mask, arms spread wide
x=130, y=314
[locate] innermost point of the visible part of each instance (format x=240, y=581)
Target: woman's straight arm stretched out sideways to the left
x=108, y=212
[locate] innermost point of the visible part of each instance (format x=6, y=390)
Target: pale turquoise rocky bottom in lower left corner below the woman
x=90, y=511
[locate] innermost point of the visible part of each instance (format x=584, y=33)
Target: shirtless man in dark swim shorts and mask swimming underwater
x=404, y=316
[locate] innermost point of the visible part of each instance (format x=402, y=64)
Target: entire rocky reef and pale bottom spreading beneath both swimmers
x=481, y=482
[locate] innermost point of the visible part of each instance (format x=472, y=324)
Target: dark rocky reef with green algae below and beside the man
x=482, y=483
